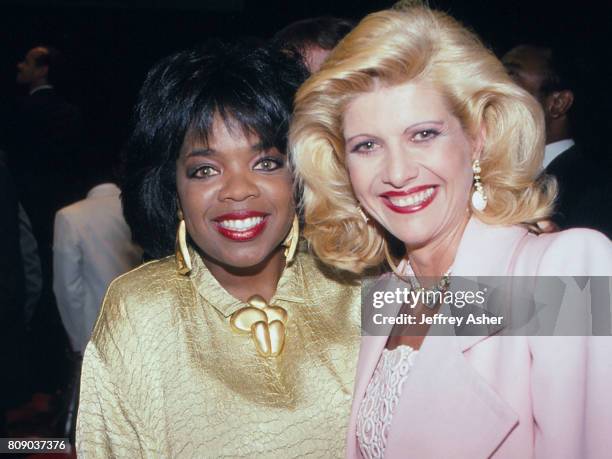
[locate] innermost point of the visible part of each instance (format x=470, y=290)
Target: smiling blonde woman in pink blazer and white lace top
x=413, y=128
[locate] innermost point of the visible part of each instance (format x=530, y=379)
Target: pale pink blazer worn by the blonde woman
x=505, y=397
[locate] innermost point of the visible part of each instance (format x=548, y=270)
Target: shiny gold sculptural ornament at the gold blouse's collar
x=265, y=324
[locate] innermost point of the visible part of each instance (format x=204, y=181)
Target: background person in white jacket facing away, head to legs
x=92, y=245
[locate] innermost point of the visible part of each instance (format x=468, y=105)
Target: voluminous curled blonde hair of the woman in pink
x=396, y=47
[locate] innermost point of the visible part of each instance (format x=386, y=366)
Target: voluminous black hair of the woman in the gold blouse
x=245, y=83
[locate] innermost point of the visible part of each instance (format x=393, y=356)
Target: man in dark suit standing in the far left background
x=46, y=143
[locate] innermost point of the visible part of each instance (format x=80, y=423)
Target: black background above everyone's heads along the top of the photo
x=111, y=44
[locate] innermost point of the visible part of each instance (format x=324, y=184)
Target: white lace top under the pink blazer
x=381, y=399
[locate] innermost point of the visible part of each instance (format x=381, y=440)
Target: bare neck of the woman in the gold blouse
x=242, y=283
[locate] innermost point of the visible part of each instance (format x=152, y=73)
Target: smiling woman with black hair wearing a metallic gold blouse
x=231, y=343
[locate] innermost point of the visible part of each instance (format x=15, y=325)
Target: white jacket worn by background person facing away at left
x=92, y=245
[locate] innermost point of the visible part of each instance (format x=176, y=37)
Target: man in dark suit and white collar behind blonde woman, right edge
x=585, y=191
